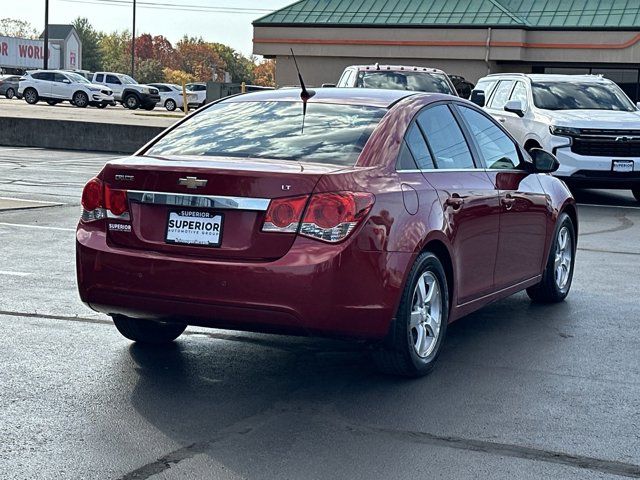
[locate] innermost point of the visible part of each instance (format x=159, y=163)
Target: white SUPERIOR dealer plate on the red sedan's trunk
x=189, y=227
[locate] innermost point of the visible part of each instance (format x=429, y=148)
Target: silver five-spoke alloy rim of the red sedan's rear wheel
x=426, y=314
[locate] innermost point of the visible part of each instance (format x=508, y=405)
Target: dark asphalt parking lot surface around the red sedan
x=521, y=391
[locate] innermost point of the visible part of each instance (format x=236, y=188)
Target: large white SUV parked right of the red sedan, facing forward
x=587, y=121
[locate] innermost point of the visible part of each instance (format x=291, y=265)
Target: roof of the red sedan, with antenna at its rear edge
x=352, y=96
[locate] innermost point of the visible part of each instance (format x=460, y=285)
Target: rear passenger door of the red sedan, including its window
x=470, y=201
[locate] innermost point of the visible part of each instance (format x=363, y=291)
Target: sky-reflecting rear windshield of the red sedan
x=330, y=134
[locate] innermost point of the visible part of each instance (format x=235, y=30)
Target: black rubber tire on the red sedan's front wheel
x=551, y=289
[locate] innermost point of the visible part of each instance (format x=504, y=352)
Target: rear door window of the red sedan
x=445, y=138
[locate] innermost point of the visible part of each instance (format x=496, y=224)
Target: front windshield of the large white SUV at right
x=580, y=96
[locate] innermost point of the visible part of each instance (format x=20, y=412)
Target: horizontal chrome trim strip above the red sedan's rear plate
x=201, y=201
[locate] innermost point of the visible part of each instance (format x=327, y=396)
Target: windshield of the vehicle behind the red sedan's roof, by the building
x=415, y=81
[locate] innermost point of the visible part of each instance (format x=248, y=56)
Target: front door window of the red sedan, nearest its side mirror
x=497, y=149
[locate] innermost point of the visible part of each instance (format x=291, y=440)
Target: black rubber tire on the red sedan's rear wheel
x=398, y=355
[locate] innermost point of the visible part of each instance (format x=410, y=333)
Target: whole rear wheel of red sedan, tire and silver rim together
x=420, y=325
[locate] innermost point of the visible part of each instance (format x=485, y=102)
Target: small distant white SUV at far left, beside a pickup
x=55, y=86
